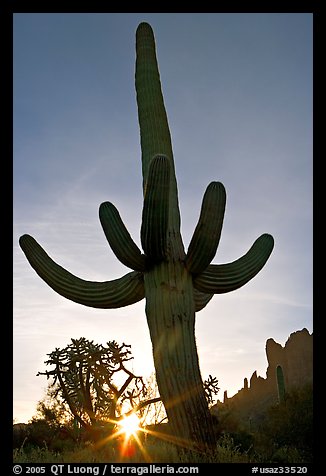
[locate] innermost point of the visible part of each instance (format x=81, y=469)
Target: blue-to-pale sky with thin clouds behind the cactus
x=238, y=93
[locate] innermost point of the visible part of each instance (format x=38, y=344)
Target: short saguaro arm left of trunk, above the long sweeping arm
x=119, y=238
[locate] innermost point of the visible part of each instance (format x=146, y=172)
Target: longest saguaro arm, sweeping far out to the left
x=106, y=295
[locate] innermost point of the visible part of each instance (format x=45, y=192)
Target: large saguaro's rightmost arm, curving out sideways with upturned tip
x=224, y=278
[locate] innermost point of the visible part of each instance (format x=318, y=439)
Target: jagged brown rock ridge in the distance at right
x=296, y=362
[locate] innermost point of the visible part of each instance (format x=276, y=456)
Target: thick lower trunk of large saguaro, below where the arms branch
x=171, y=320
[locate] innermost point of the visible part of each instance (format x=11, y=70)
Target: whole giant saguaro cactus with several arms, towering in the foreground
x=175, y=283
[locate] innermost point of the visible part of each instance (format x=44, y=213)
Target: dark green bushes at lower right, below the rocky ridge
x=283, y=433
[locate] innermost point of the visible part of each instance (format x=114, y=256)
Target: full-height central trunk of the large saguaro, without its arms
x=169, y=296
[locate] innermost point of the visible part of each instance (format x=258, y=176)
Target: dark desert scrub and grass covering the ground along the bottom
x=284, y=436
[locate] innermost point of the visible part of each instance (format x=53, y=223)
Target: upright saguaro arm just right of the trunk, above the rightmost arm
x=206, y=237
